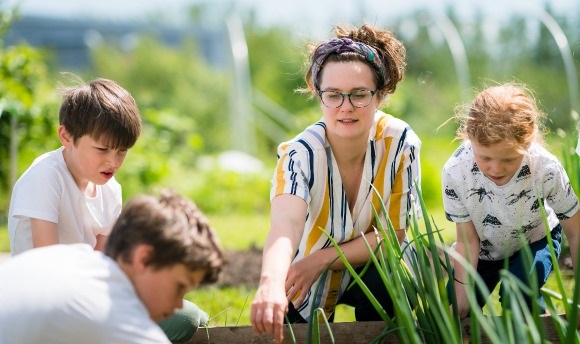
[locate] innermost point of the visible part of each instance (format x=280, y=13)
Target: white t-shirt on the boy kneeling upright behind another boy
x=47, y=191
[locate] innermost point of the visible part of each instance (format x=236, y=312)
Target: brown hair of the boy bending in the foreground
x=176, y=229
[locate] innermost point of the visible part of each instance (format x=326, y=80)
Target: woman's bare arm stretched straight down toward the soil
x=288, y=214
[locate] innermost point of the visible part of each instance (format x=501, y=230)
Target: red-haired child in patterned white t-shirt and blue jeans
x=490, y=188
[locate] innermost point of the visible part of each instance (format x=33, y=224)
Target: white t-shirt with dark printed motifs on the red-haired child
x=501, y=213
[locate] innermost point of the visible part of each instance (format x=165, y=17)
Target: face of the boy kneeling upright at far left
x=91, y=161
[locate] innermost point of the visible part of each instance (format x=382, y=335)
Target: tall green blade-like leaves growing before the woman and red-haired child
x=421, y=304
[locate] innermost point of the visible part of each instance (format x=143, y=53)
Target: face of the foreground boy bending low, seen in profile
x=162, y=290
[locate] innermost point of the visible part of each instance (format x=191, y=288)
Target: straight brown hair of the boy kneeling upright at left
x=100, y=109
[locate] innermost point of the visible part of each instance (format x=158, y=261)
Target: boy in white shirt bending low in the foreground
x=158, y=249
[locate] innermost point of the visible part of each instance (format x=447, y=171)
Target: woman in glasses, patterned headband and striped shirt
x=326, y=179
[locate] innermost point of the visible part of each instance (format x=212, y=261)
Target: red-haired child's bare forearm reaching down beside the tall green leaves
x=468, y=247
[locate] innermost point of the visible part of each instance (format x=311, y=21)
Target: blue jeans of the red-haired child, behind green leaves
x=489, y=271
